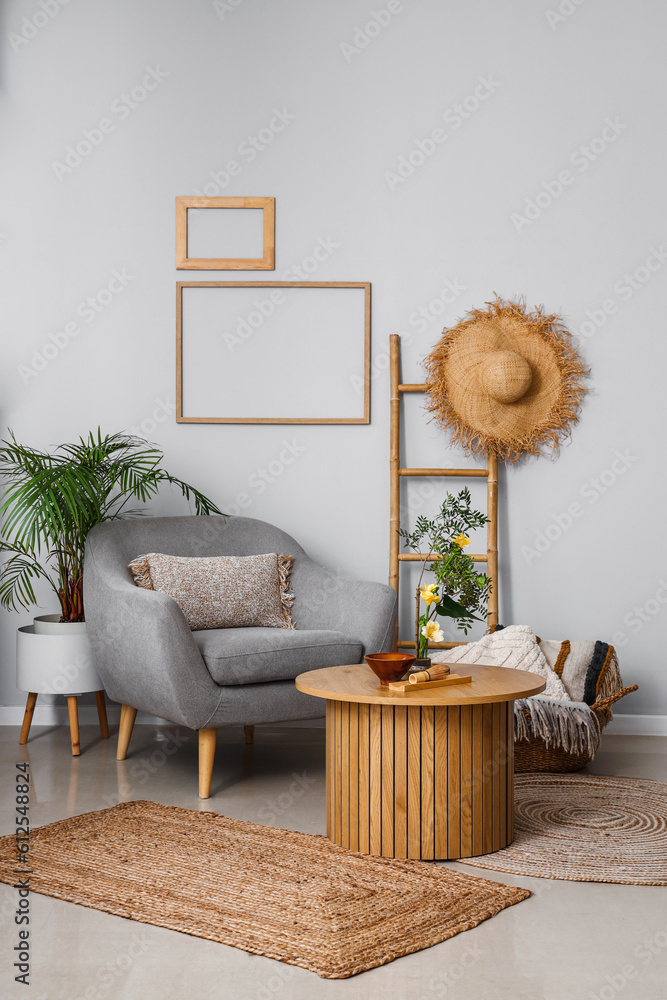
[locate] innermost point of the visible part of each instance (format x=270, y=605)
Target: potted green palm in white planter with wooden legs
x=51, y=501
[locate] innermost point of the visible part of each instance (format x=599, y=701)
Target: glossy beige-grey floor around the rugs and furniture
x=570, y=941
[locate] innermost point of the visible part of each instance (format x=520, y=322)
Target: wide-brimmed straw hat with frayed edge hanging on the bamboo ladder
x=506, y=379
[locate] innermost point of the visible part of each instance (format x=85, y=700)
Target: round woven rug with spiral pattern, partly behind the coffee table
x=586, y=828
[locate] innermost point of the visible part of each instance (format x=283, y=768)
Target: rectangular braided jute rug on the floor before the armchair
x=290, y=896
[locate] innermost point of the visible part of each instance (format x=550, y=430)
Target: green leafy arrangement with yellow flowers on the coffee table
x=459, y=591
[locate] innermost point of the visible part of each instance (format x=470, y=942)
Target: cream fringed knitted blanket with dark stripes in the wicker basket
x=552, y=716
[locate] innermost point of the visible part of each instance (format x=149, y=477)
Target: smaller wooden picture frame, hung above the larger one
x=264, y=263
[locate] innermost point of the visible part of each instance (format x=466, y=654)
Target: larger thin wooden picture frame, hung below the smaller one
x=364, y=418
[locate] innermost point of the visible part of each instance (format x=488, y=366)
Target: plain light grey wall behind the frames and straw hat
x=343, y=105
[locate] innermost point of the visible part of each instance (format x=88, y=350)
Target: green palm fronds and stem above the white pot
x=52, y=501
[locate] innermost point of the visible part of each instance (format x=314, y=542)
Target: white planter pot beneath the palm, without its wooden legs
x=54, y=657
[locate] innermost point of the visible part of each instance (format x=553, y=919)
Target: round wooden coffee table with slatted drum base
x=428, y=774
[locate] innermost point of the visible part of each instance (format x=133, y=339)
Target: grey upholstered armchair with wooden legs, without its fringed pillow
x=149, y=659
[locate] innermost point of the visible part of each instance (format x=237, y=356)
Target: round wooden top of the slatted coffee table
x=356, y=682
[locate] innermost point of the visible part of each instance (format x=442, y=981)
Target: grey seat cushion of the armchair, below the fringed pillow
x=255, y=655
